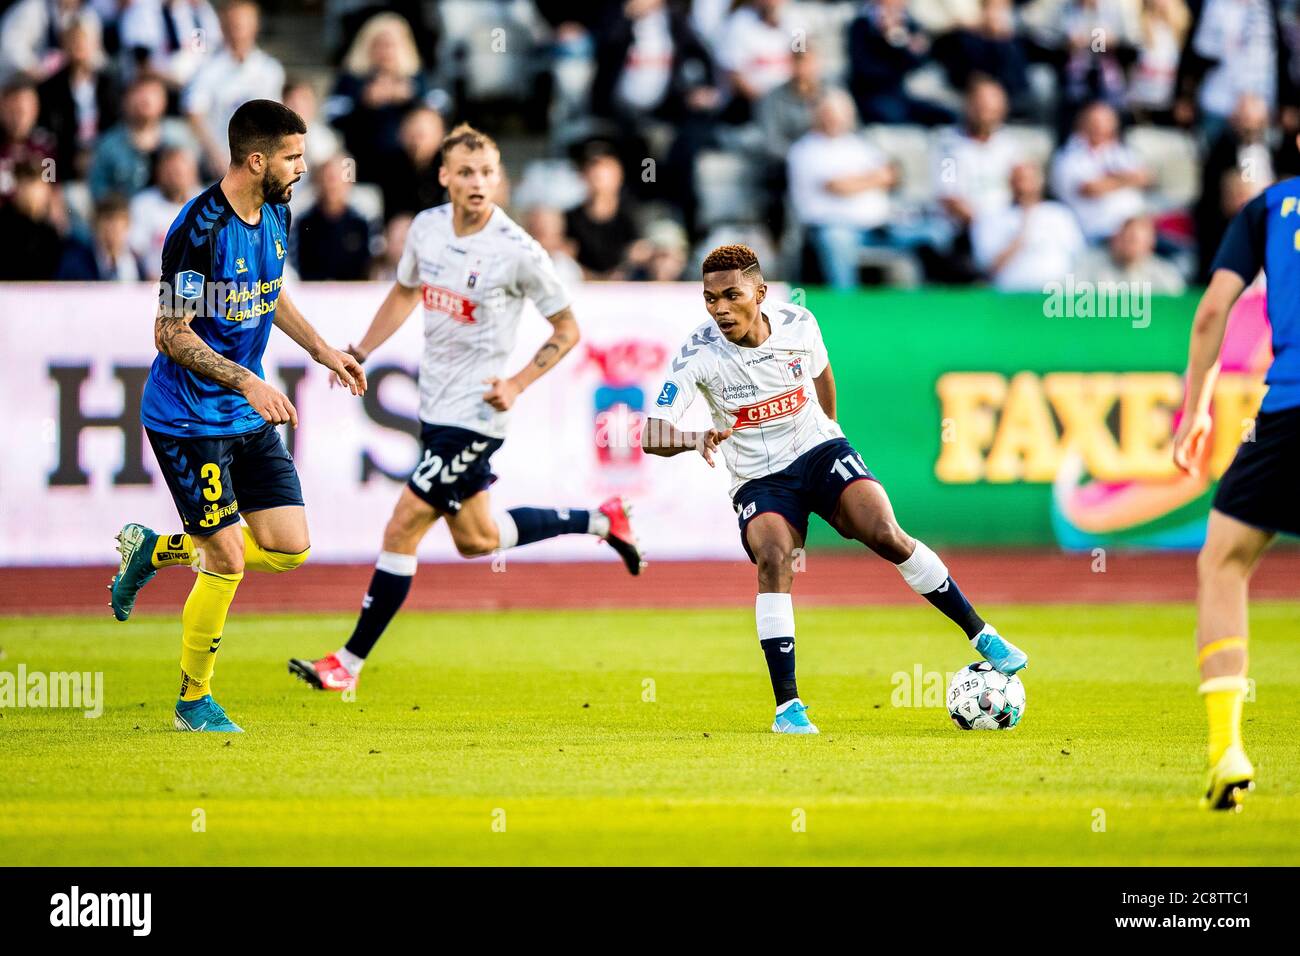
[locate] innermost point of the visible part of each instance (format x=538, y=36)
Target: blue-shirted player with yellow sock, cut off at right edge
x=1256, y=499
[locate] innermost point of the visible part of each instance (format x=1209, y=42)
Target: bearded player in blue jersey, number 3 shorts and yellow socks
x=209, y=412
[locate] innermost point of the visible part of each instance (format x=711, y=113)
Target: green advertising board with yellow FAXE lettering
x=1020, y=421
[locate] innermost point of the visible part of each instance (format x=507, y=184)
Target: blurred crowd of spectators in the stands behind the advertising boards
x=883, y=142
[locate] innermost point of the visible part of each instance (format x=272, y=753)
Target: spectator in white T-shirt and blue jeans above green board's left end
x=840, y=191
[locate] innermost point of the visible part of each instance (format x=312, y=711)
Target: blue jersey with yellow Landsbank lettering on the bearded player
x=228, y=275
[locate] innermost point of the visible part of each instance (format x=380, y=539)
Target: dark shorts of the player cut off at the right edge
x=1260, y=486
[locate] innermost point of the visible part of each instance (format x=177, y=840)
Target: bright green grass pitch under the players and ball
x=643, y=738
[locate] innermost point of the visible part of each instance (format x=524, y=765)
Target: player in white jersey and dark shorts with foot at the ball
x=788, y=458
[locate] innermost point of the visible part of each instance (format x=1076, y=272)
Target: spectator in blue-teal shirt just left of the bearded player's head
x=124, y=157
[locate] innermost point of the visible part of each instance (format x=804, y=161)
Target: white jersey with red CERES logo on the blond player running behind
x=474, y=289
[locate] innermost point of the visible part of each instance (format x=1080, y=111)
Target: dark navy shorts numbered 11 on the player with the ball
x=809, y=486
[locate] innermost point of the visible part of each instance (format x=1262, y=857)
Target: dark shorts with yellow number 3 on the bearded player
x=215, y=481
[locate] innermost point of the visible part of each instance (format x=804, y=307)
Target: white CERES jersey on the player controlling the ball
x=766, y=395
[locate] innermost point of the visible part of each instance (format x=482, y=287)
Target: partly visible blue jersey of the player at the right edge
x=1266, y=235
